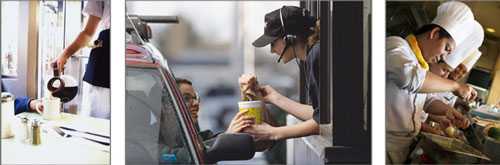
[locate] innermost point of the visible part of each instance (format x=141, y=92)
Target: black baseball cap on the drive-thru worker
x=296, y=21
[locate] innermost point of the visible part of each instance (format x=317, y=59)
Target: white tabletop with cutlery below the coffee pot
x=56, y=149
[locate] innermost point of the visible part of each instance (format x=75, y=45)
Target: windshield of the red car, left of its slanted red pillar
x=153, y=132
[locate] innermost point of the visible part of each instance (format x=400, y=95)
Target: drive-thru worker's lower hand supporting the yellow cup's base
x=262, y=131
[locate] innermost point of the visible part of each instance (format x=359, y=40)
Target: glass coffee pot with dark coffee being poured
x=62, y=86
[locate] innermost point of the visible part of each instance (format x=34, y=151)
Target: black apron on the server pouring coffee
x=97, y=70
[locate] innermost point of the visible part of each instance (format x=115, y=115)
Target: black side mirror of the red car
x=238, y=146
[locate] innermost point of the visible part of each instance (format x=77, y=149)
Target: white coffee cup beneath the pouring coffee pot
x=51, y=108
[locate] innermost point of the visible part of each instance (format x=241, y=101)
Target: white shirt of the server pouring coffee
x=101, y=9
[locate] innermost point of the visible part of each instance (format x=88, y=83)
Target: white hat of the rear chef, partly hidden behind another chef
x=474, y=40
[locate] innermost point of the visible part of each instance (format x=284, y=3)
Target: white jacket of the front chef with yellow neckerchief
x=404, y=106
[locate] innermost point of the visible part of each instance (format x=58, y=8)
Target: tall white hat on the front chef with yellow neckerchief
x=453, y=16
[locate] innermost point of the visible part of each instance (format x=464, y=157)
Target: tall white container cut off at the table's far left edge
x=7, y=113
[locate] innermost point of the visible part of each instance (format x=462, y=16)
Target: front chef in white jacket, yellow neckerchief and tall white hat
x=408, y=79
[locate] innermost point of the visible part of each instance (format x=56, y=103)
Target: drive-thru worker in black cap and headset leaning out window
x=293, y=34
